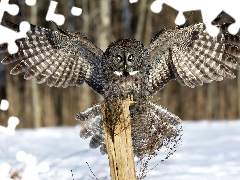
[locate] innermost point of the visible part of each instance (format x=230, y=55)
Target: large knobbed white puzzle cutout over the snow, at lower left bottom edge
x=32, y=168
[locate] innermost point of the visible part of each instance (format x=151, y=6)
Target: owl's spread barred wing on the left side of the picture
x=60, y=58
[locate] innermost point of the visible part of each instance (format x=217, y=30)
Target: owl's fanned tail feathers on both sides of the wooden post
x=152, y=126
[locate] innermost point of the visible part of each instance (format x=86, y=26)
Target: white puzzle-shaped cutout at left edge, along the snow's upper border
x=10, y=129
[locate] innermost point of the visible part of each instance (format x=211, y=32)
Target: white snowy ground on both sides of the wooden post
x=210, y=150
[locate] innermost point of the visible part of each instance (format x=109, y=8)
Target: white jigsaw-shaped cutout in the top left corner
x=7, y=35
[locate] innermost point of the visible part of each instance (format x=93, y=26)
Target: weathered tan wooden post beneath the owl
x=117, y=132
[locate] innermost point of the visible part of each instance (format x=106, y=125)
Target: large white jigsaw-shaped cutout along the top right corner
x=208, y=13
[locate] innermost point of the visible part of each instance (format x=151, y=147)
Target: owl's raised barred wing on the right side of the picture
x=191, y=56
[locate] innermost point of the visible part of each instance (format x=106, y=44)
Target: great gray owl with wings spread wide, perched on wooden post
x=186, y=54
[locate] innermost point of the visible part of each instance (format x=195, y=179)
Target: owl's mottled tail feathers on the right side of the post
x=153, y=128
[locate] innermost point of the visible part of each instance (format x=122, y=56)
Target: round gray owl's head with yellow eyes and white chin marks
x=124, y=57
